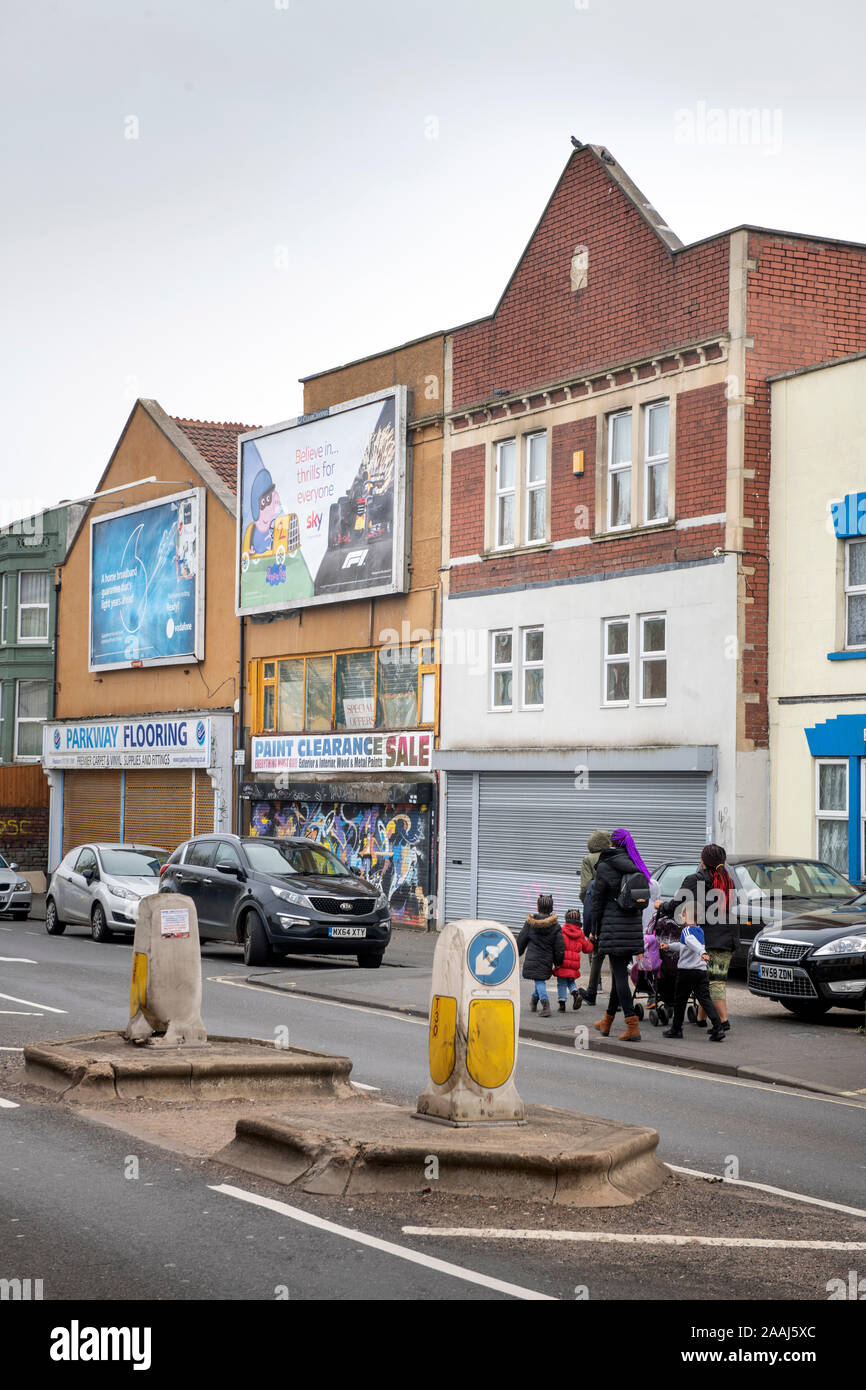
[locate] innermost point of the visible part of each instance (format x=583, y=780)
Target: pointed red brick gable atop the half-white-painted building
x=640, y=298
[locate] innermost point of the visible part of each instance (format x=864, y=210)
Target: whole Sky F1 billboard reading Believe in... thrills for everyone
x=322, y=514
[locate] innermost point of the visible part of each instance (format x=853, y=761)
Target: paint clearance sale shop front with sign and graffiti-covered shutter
x=369, y=797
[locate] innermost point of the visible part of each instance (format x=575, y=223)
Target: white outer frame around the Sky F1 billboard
x=400, y=565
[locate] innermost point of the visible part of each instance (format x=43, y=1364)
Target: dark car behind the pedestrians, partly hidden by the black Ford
x=771, y=889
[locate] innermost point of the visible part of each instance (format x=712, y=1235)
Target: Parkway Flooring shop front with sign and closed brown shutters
x=149, y=779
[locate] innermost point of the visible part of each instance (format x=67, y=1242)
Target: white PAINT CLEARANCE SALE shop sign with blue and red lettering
x=343, y=753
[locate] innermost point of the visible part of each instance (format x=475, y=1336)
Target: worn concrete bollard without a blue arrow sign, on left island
x=166, y=989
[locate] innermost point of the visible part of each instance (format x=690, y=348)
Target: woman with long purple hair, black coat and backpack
x=621, y=896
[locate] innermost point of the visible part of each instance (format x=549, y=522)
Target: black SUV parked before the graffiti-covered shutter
x=279, y=897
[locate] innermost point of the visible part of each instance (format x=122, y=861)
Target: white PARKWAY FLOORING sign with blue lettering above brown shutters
x=130, y=743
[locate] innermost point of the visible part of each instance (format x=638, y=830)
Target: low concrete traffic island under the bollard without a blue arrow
x=106, y=1067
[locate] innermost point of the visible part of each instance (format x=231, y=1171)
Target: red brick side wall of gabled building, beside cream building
x=807, y=304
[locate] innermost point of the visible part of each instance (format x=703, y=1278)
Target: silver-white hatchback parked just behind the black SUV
x=101, y=886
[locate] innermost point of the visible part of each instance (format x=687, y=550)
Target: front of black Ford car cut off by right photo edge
x=818, y=963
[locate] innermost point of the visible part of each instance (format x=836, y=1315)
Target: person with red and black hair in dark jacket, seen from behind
x=712, y=896
